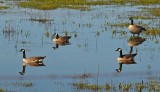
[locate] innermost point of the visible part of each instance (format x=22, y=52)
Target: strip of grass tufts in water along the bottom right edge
x=126, y=87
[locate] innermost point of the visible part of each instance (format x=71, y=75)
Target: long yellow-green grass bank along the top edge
x=77, y=4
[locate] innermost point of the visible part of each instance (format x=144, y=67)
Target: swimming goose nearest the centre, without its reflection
x=58, y=38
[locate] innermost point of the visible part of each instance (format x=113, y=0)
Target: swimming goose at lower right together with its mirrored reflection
x=125, y=59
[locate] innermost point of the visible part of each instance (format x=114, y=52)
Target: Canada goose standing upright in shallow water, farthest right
x=135, y=29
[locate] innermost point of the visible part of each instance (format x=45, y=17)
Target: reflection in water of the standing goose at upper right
x=135, y=41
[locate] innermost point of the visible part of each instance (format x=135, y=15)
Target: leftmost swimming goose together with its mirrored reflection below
x=32, y=61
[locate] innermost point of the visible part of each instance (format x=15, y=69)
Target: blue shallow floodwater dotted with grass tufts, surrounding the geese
x=88, y=62
